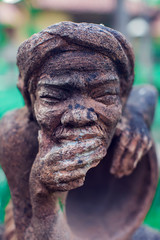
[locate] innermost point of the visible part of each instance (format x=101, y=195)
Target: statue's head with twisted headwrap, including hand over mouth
x=75, y=79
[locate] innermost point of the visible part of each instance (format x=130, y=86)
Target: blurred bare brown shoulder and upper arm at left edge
x=18, y=148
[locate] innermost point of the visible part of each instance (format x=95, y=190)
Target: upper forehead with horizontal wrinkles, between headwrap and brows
x=77, y=61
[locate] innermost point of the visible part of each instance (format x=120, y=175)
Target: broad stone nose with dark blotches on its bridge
x=79, y=116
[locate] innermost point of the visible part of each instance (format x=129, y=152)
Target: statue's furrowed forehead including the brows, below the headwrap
x=78, y=69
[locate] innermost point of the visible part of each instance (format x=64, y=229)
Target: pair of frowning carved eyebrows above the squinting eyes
x=106, y=79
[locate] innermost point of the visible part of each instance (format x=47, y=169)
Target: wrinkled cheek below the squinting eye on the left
x=47, y=117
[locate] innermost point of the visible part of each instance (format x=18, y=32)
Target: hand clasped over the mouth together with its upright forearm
x=55, y=170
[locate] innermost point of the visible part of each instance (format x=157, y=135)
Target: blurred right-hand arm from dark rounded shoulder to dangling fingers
x=132, y=137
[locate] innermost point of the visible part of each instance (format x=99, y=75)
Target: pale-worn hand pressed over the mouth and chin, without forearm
x=64, y=166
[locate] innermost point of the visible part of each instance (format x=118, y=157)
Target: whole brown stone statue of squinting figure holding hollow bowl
x=78, y=157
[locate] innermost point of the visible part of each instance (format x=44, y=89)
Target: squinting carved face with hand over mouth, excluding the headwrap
x=77, y=106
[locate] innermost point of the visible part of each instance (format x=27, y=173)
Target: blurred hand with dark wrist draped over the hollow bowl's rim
x=132, y=141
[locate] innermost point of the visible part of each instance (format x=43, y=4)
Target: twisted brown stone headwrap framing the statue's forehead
x=66, y=36
